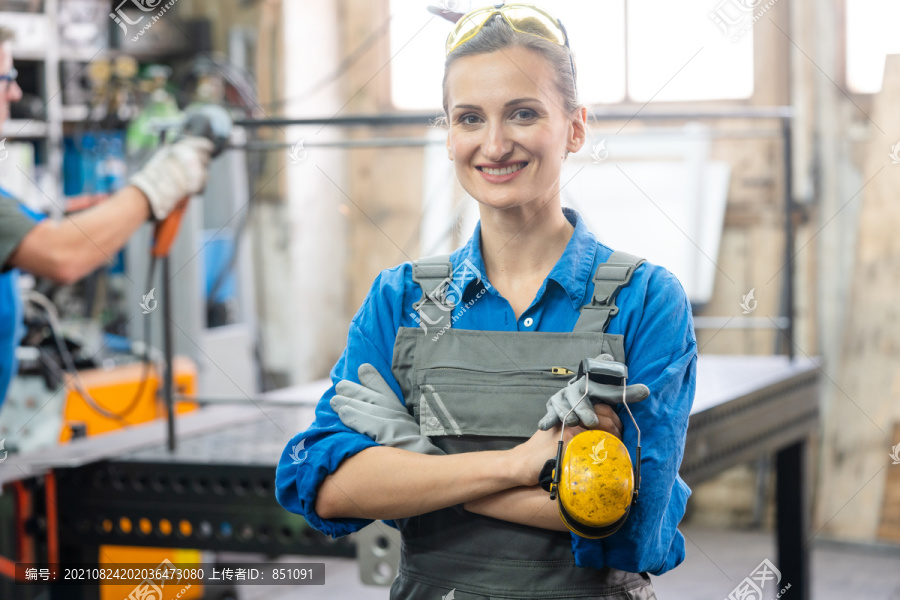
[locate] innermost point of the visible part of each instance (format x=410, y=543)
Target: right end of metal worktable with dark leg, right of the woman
x=748, y=406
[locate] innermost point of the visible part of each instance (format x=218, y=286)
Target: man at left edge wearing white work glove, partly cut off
x=73, y=247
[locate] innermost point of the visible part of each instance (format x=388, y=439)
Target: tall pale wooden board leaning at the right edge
x=864, y=406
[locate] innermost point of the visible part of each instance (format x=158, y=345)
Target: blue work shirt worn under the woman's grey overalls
x=660, y=349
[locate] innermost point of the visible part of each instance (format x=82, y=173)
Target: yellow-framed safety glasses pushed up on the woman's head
x=523, y=18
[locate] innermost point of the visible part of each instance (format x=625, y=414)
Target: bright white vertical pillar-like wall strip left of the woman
x=306, y=234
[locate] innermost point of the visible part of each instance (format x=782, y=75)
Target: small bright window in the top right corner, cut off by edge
x=871, y=35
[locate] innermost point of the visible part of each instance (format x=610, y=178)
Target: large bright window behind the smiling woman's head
x=675, y=50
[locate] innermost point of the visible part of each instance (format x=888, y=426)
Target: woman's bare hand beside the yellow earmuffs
x=528, y=458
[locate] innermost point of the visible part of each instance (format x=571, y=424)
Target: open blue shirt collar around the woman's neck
x=572, y=271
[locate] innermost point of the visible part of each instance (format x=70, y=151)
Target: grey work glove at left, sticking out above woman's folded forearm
x=372, y=408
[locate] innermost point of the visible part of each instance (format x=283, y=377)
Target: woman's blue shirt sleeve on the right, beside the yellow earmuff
x=661, y=352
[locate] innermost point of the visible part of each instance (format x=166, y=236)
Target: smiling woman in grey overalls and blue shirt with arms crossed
x=456, y=361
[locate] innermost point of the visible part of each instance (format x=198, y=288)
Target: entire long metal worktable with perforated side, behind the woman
x=216, y=491
